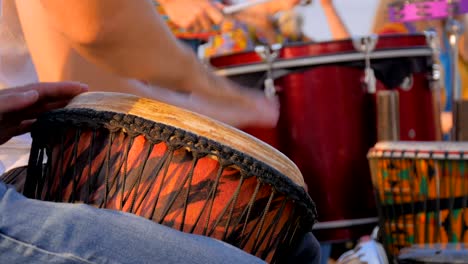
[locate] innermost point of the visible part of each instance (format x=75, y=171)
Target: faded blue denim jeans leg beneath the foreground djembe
x=33, y=231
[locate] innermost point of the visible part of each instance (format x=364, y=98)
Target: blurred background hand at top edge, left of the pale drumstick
x=194, y=15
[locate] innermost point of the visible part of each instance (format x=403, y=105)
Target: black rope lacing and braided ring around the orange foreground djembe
x=131, y=127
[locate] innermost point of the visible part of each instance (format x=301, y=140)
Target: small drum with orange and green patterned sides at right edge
x=422, y=192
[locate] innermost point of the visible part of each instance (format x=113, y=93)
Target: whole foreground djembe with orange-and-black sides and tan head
x=172, y=166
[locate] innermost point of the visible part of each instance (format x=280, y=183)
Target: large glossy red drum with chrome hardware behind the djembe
x=328, y=117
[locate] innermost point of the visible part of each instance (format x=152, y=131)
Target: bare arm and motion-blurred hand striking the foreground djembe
x=103, y=45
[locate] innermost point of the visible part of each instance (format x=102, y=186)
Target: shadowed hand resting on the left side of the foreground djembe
x=20, y=106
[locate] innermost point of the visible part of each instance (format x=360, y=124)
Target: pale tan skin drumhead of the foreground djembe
x=193, y=123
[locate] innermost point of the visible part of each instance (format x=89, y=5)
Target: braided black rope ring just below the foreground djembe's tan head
x=179, y=138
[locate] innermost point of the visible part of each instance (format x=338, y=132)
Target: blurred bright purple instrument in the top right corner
x=407, y=11
